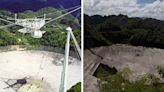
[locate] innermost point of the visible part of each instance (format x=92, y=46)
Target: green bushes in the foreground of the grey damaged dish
x=117, y=83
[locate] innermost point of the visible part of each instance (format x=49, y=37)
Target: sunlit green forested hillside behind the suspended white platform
x=55, y=31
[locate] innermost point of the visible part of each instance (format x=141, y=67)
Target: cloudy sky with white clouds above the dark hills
x=132, y=8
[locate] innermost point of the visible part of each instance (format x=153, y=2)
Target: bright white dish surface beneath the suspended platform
x=42, y=69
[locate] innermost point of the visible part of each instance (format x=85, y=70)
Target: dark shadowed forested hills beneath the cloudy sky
x=107, y=30
